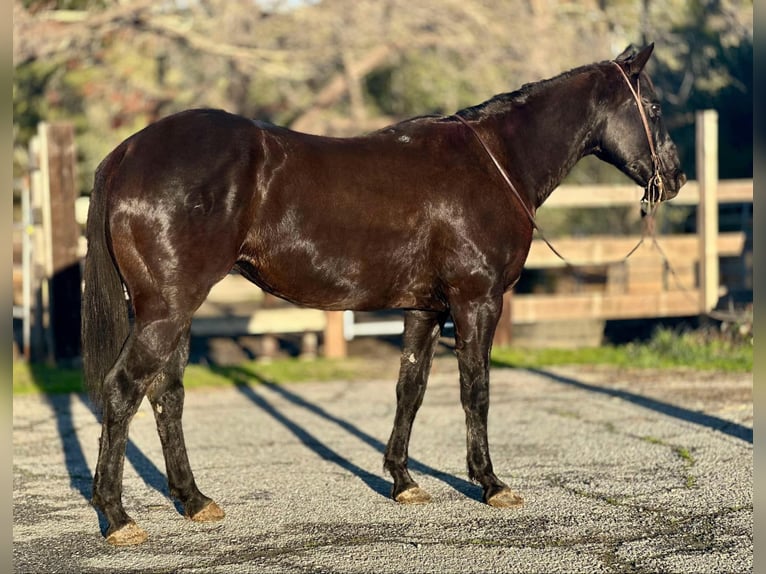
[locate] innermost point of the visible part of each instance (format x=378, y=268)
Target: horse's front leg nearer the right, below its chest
x=475, y=324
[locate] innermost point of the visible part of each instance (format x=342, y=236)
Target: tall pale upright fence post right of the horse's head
x=707, y=212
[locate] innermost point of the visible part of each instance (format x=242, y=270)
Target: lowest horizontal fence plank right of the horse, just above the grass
x=531, y=308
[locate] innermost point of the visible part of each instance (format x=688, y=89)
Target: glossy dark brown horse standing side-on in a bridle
x=433, y=215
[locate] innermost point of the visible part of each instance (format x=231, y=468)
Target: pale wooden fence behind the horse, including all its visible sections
x=648, y=284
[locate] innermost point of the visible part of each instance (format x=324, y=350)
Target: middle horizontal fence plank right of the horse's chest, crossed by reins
x=603, y=249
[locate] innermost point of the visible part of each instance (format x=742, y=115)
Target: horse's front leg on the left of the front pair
x=421, y=333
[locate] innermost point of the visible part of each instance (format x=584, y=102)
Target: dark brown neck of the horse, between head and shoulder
x=547, y=135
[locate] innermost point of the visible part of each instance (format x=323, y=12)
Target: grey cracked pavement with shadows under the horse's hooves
x=620, y=471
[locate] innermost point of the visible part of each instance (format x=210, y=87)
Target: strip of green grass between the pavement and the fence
x=697, y=350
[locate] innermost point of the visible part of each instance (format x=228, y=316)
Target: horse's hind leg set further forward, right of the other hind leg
x=166, y=395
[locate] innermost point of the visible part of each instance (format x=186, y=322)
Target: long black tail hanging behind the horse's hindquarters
x=105, y=321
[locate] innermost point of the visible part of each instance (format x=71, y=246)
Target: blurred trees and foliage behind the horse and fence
x=345, y=67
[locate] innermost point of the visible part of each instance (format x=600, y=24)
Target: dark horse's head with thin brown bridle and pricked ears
x=634, y=138
